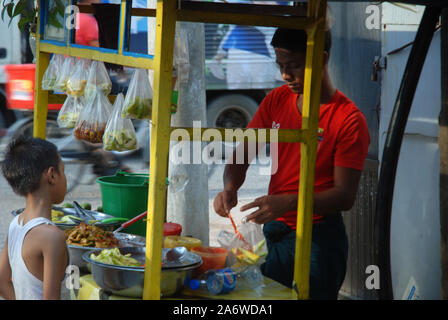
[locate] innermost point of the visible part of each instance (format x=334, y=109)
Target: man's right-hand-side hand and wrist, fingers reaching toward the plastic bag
x=270, y=207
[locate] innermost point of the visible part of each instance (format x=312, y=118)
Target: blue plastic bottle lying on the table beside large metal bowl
x=215, y=281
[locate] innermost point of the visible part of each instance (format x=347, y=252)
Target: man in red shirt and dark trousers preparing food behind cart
x=343, y=141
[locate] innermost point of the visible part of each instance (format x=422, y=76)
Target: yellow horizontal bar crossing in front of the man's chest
x=239, y=135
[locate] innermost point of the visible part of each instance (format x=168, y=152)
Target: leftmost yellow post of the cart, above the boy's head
x=40, y=96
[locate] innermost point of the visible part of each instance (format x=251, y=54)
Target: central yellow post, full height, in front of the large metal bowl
x=160, y=142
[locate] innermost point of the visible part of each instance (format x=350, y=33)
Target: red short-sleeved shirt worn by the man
x=343, y=142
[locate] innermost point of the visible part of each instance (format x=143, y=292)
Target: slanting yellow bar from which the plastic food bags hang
x=129, y=61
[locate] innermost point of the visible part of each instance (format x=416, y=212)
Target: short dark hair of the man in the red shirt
x=295, y=40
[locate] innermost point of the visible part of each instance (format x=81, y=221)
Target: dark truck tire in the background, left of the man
x=231, y=111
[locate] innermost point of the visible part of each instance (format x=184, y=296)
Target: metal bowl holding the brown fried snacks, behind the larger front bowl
x=124, y=240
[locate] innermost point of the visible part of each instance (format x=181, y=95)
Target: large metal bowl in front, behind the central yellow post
x=128, y=281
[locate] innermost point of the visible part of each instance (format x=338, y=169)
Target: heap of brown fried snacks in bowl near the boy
x=90, y=236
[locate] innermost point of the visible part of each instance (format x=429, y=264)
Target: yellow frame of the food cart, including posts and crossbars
x=167, y=13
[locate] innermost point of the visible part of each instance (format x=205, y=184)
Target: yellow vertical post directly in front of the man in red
x=310, y=123
